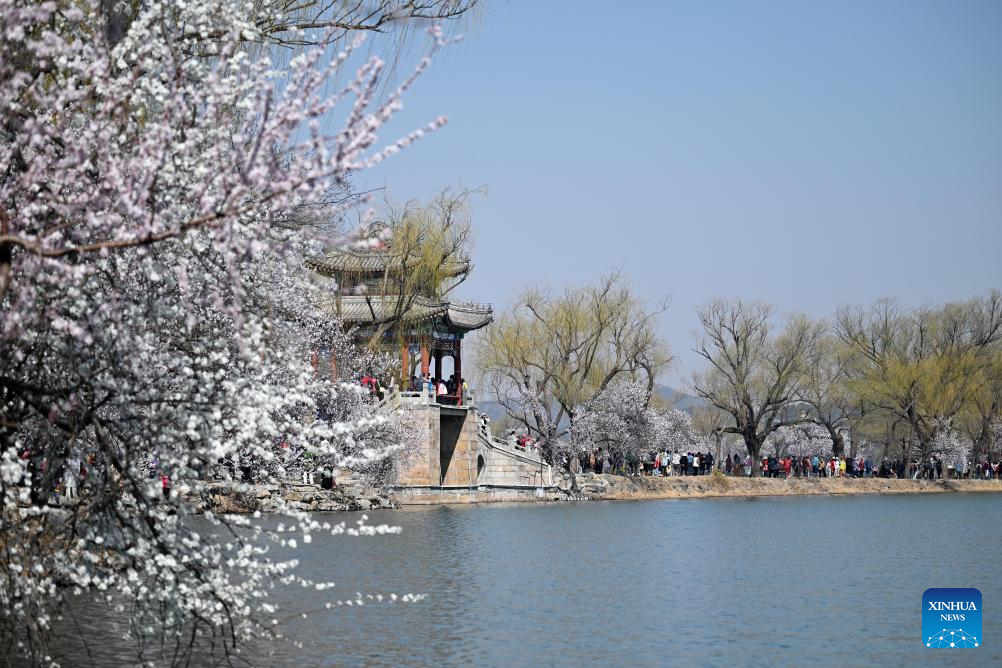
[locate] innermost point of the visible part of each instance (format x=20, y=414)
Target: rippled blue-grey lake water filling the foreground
x=795, y=581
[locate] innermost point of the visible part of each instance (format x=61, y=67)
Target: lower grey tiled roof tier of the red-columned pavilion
x=362, y=310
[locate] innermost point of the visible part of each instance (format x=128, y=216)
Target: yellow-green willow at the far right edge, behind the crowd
x=924, y=366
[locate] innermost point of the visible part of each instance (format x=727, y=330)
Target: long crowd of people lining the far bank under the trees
x=816, y=466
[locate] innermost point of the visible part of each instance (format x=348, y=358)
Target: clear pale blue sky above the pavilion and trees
x=803, y=154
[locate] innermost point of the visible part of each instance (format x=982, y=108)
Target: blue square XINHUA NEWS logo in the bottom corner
x=951, y=618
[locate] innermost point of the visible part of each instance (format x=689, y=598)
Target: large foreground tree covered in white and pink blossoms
x=162, y=172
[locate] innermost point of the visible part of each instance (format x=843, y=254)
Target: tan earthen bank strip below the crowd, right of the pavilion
x=605, y=487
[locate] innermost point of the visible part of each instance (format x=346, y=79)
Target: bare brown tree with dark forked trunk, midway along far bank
x=757, y=372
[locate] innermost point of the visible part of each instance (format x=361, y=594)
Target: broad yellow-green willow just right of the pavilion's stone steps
x=551, y=353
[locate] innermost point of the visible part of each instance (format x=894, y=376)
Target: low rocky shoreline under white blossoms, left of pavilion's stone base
x=229, y=498
